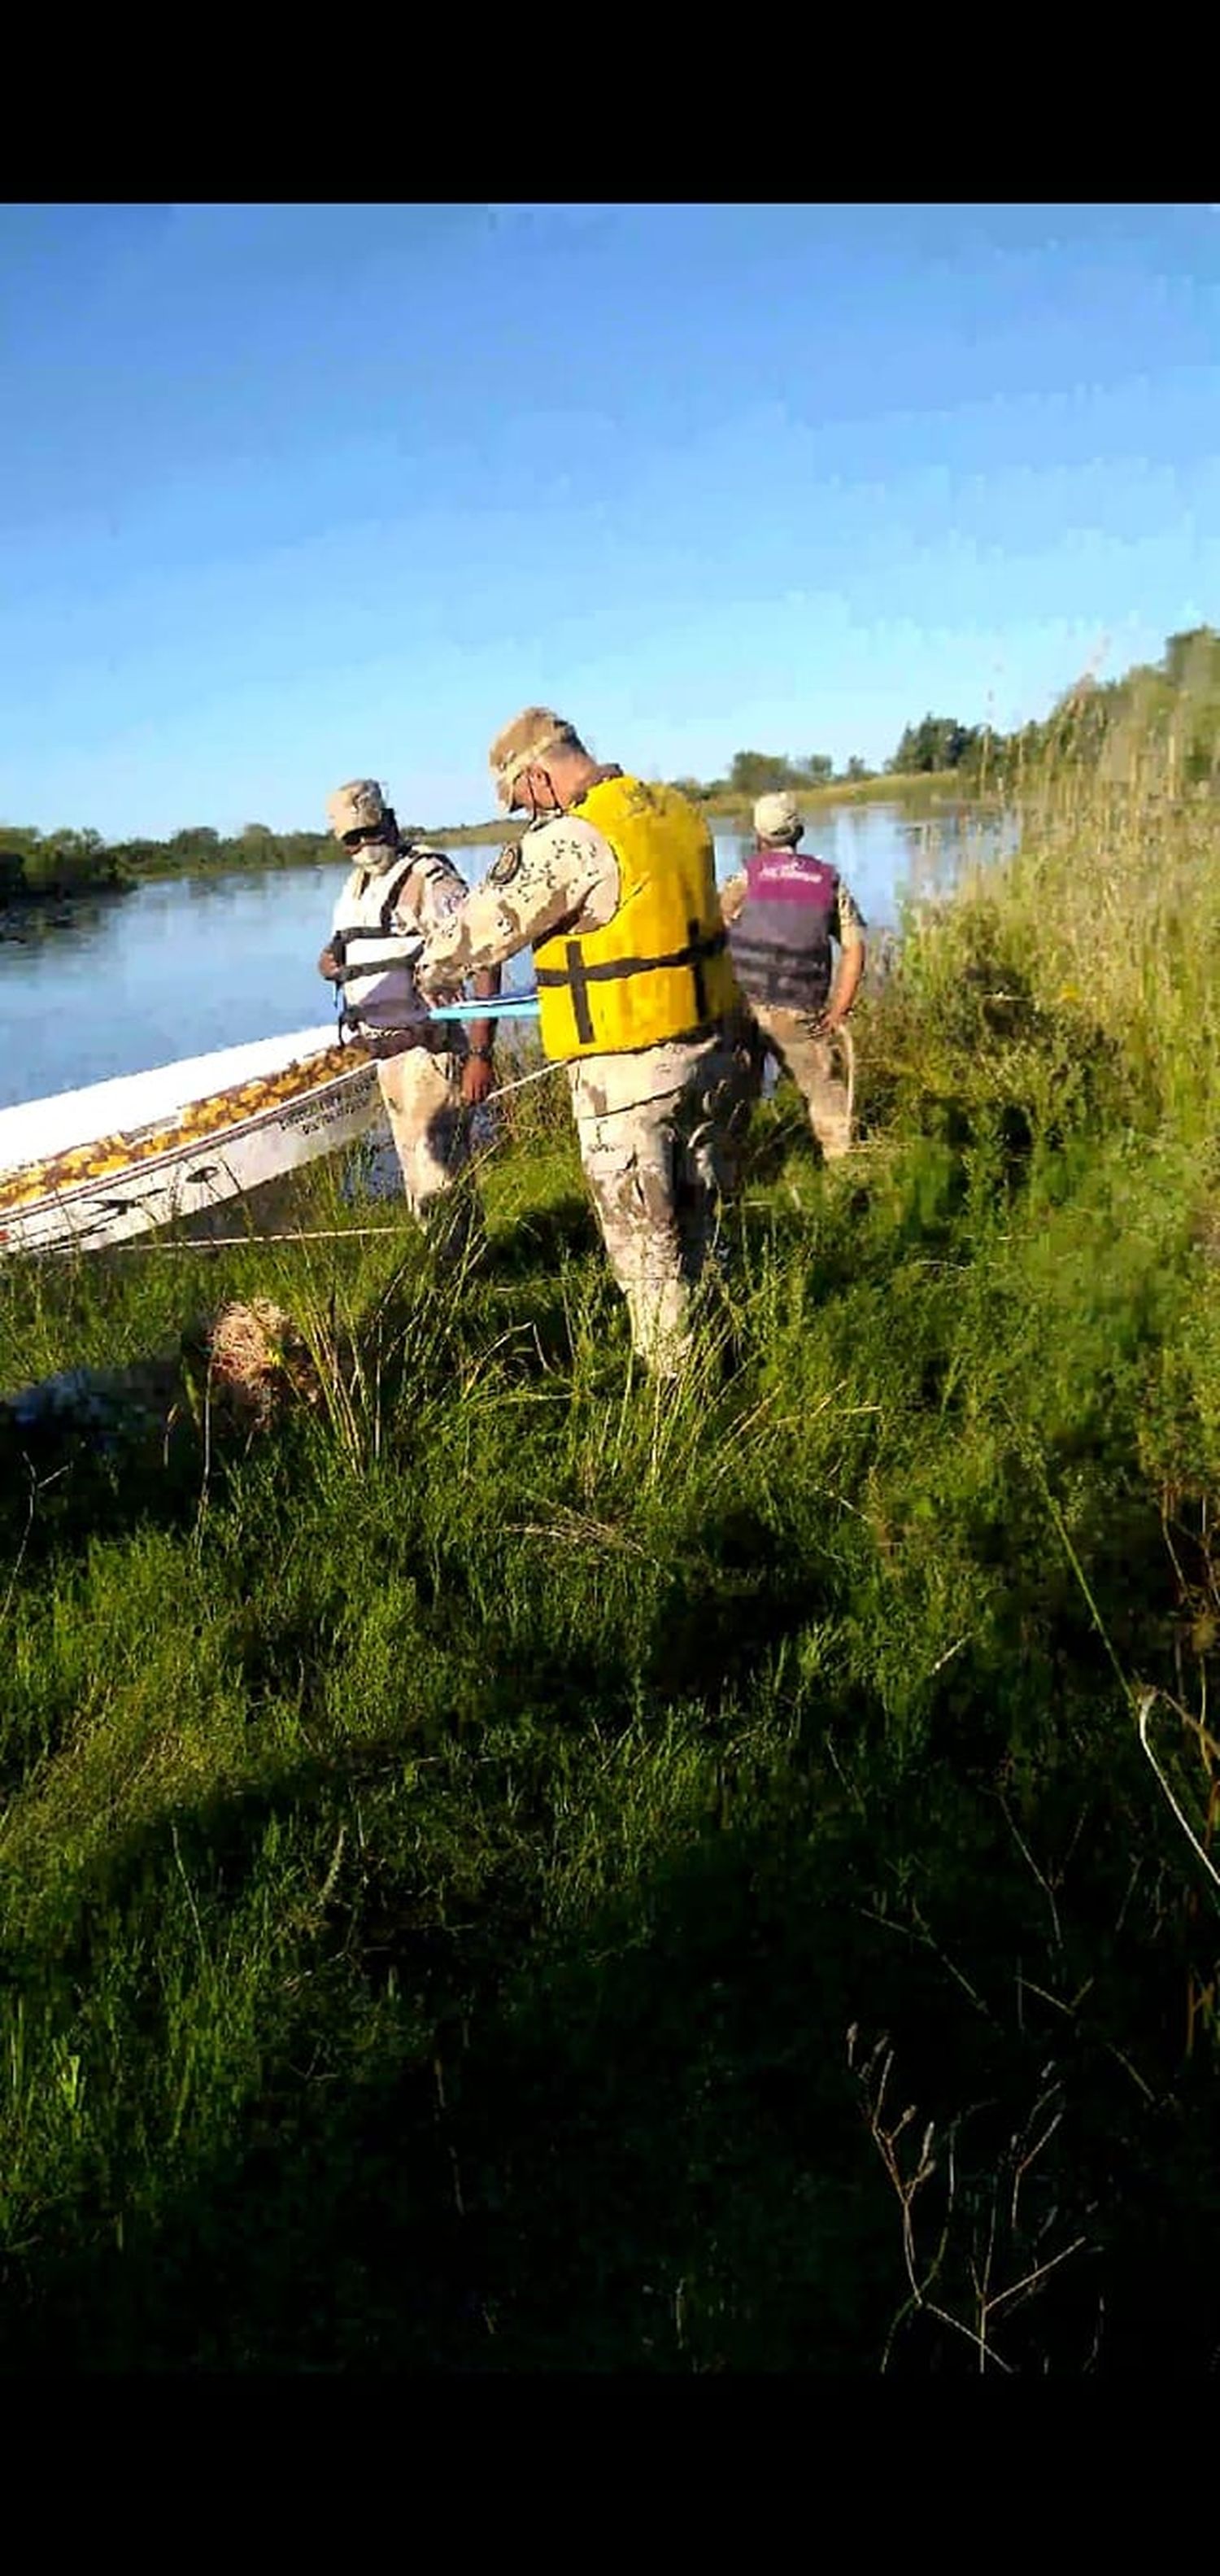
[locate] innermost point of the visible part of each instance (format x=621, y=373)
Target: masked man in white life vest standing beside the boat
x=434, y=1073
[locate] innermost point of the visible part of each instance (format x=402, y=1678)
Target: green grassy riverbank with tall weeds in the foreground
x=513, y=1874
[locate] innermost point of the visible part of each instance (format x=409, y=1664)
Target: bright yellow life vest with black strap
x=660, y=970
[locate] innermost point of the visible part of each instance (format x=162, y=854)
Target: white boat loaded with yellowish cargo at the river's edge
x=148, y=1150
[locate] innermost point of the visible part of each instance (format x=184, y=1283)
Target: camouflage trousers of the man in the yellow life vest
x=660, y=1176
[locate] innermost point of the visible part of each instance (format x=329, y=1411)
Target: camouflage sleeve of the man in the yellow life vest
x=531, y=890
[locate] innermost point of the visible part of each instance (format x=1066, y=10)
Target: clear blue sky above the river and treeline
x=292, y=493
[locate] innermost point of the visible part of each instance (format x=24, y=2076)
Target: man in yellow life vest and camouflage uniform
x=614, y=887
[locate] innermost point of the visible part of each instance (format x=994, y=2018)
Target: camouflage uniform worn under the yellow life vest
x=655, y=1127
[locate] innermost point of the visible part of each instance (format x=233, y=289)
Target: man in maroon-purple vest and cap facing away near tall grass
x=784, y=911
